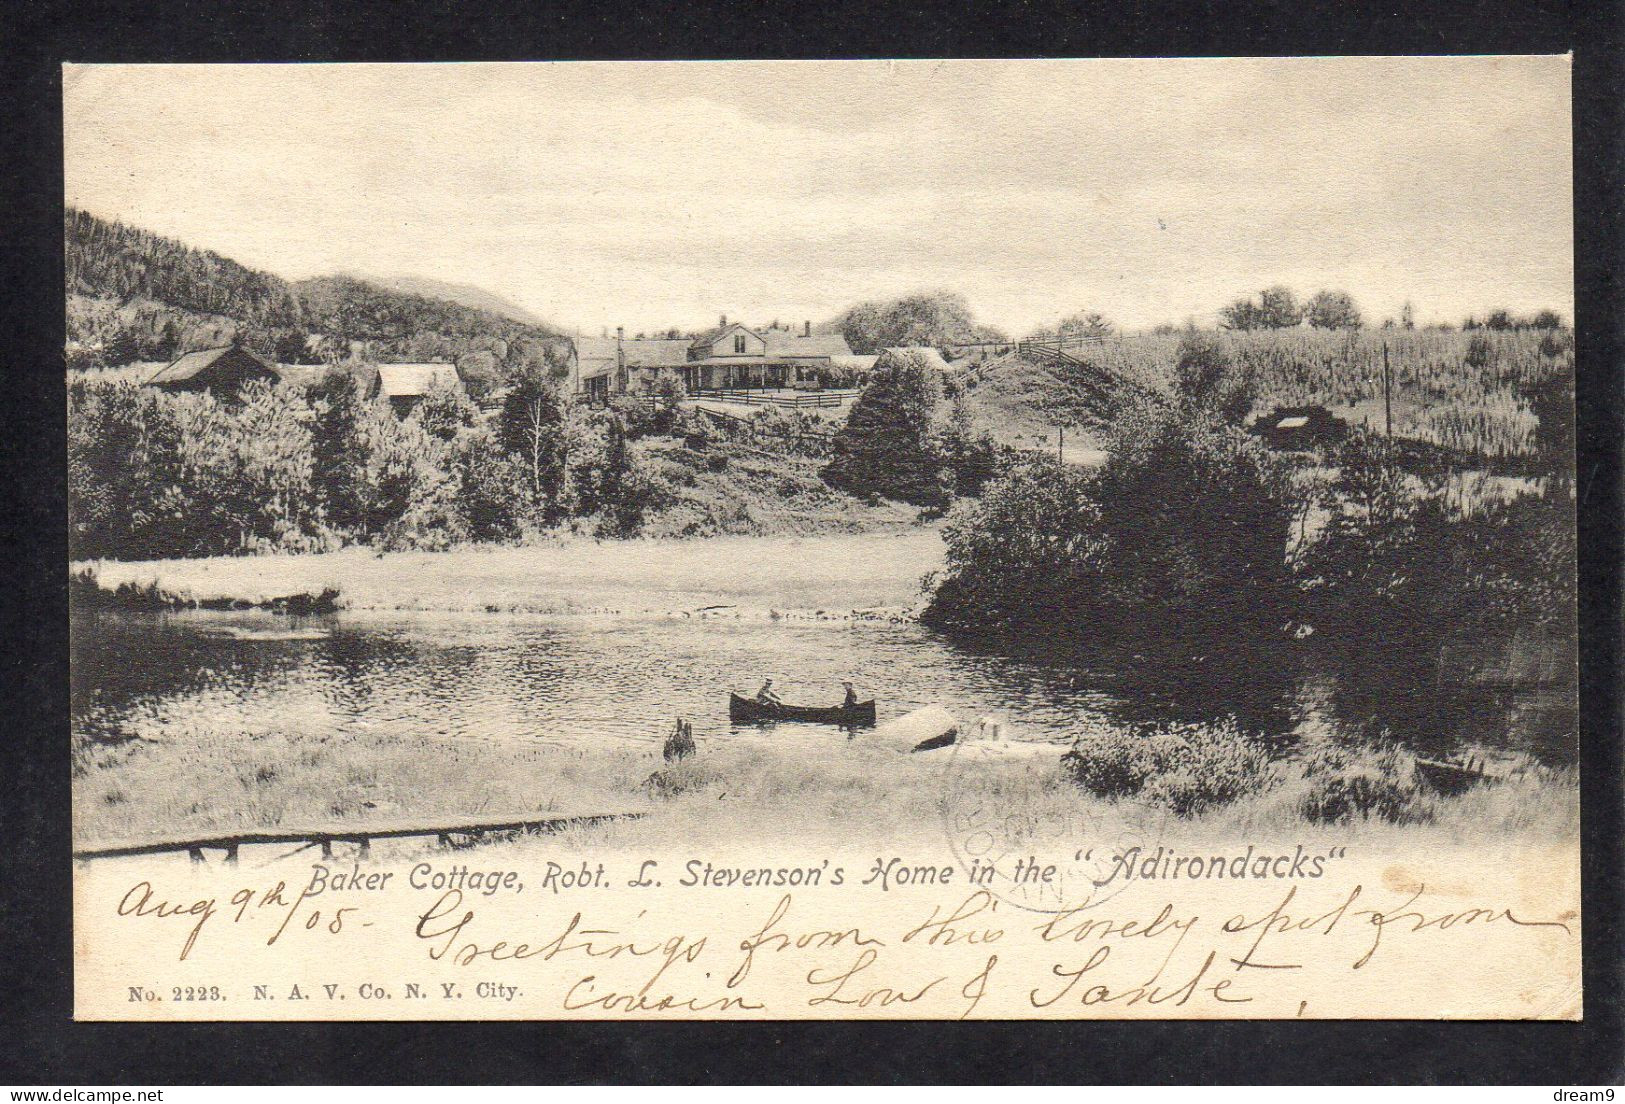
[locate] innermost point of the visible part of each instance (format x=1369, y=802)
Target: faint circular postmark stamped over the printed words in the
x=1026, y=848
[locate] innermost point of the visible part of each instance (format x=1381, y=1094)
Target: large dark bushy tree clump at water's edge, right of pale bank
x=1182, y=534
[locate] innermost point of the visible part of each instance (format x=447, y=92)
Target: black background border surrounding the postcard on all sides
x=38, y=1040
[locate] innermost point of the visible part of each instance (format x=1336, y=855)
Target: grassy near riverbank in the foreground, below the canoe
x=771, y=788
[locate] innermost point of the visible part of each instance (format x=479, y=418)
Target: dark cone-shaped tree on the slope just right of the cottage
x=890, y=445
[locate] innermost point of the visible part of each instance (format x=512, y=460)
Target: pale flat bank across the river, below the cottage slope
x=579, y=575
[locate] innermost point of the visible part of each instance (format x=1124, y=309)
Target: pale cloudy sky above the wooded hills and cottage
x=667, y=194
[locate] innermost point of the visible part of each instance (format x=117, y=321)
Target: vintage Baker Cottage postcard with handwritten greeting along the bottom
x=937, y=541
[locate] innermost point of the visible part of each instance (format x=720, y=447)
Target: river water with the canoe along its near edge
x=579, y=679
